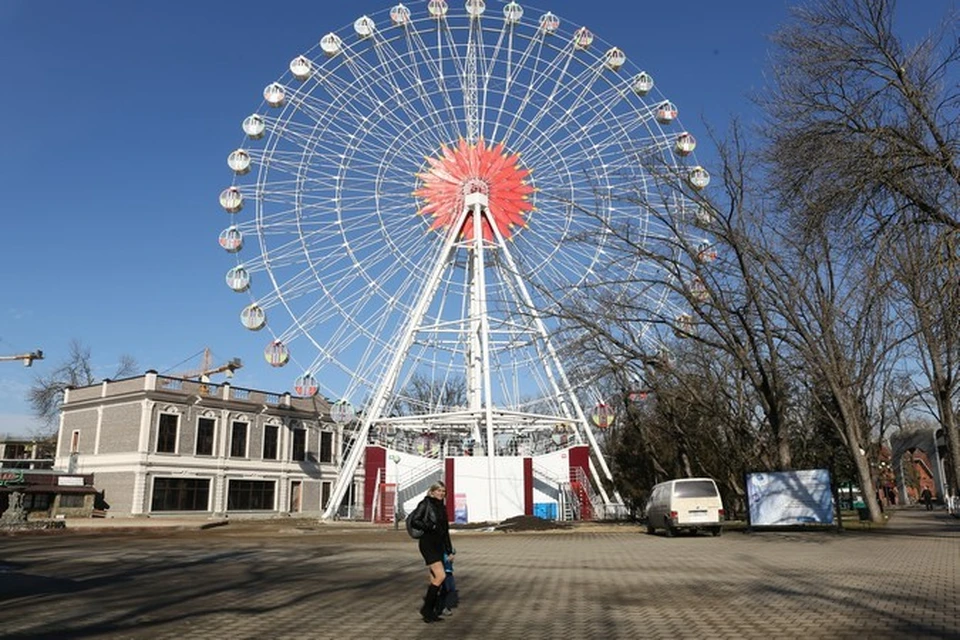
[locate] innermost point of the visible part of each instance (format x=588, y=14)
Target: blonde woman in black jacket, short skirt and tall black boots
x=430, y=517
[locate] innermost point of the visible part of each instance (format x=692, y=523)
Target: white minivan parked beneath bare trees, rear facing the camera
x=687, y=503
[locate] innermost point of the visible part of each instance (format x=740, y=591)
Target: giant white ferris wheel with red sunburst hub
x=416, y=195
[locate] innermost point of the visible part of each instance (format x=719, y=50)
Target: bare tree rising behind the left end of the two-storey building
x=46, y=393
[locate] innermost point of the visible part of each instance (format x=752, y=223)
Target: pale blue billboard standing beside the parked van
x=779, y=498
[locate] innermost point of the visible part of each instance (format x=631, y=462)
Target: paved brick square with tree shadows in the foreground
x=899, y=581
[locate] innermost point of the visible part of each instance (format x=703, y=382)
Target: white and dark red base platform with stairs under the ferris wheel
x=480, y=488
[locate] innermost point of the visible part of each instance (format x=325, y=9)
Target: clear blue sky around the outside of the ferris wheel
x=117, y=118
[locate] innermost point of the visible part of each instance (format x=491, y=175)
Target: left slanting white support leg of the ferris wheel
x=372, y=414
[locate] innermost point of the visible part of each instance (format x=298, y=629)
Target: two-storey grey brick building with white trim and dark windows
x=159, y=445
